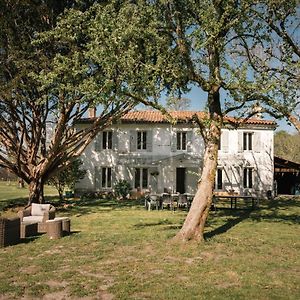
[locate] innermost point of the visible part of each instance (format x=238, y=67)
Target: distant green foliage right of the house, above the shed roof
x=287, y=145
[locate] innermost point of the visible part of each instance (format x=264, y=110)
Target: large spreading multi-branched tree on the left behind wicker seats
x=50, y=80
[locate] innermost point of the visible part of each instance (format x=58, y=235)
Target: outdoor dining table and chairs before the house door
x=170, y=201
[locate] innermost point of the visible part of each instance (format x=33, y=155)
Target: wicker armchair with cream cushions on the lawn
x=37, y=213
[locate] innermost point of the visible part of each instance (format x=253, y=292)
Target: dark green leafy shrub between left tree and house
x=68, y=177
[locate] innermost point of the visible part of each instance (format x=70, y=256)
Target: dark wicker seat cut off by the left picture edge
x=9, y=231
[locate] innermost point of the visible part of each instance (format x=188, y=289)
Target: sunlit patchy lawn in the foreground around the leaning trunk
x=121, y=251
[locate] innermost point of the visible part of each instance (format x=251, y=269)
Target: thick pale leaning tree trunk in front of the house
x=193, y=226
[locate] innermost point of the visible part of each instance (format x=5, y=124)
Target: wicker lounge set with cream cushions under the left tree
x=34, y=219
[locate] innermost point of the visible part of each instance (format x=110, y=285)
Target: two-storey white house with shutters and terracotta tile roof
x=152, y=154
